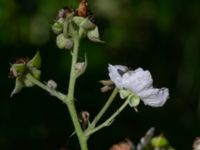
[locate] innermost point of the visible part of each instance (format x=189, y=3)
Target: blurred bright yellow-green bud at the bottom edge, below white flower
x=159, y=142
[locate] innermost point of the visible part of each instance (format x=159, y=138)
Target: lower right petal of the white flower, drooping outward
x=154, y=97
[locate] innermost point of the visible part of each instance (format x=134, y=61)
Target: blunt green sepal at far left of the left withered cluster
x=18, y=69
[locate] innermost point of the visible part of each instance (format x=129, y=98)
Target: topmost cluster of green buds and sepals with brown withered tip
x=74, y=22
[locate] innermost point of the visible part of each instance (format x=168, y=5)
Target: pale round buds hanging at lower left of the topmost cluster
x=63, y=42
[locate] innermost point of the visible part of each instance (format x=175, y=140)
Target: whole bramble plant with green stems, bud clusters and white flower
x=133, y=86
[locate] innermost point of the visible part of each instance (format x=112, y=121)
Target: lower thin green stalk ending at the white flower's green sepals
x=109, y=120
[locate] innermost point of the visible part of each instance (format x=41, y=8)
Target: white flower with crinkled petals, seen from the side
x=140, y=83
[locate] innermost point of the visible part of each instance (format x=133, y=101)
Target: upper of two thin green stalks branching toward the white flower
x=104, y=109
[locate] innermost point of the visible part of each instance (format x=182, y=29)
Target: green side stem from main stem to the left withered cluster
x=55, y=93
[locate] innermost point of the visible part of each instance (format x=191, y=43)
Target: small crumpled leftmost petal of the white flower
x=114, y=74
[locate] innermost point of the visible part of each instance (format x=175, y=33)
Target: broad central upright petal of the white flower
x=137, y=80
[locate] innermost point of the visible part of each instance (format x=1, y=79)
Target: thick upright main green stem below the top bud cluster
x=70, y=100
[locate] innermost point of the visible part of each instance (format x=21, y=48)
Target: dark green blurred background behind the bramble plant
x=161, y=36
